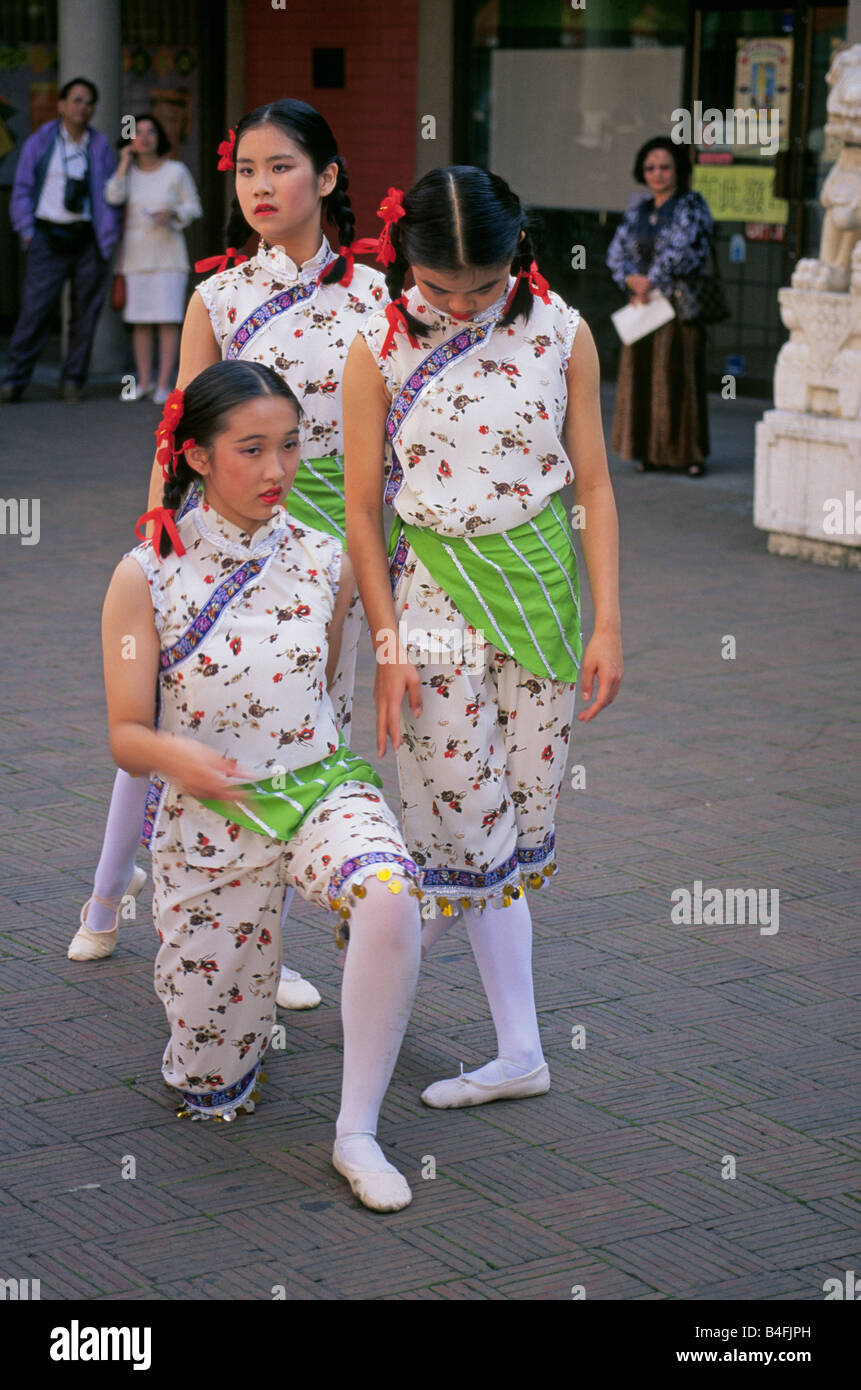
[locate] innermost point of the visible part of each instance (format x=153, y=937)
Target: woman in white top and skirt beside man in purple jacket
x=161, y=202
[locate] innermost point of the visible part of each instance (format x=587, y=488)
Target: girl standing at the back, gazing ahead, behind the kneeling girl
x=296, y=306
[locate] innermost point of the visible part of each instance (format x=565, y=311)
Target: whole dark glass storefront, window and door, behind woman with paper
x=561, y=99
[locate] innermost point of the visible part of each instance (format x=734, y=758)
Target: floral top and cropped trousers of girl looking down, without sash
x=475, y=445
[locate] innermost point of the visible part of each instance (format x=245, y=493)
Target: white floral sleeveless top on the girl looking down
x=474, y=440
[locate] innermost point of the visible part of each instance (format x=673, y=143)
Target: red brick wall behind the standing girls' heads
x=375, y=116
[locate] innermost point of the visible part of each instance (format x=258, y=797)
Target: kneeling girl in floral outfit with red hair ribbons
x=237, y=614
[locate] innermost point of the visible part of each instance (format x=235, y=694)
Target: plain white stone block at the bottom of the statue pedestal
x=807, y=484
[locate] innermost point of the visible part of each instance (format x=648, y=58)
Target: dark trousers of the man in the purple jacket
x=51, y=262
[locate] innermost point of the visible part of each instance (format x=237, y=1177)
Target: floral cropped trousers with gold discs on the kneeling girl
x=220, y=928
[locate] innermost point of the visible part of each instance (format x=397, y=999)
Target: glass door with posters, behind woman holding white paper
x=762, y=173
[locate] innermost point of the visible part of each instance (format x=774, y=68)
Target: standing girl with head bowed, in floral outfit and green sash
x=471, y=404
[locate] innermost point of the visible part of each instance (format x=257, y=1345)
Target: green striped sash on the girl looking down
x=520, y=589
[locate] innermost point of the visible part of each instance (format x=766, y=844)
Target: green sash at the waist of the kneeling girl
x=277, y=806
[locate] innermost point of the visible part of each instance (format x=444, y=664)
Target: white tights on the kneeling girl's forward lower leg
x=378, y=992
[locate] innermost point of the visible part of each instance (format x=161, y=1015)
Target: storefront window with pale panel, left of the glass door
x=561, y=101
